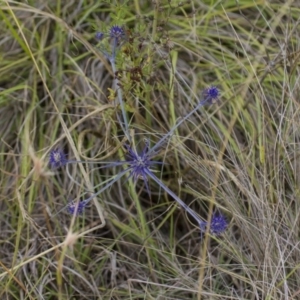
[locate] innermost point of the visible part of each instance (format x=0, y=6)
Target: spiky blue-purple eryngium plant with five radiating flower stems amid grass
x=138, y=164
